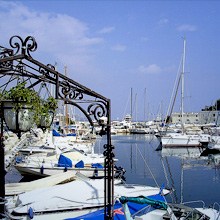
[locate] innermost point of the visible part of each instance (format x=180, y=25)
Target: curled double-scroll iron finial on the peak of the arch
x=26, y=46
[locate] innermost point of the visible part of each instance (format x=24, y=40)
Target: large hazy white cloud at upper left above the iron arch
x=59, y=35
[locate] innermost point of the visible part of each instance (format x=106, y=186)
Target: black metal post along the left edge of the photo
x=2, y=166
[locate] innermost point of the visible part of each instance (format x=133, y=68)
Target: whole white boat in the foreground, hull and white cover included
x=64, y=201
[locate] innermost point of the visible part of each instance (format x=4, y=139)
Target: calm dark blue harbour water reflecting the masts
x=193, y=177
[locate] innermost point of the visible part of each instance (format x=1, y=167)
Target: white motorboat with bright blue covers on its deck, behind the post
x=75, y=161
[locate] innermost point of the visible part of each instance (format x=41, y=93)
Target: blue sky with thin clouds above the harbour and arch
x=113, y=46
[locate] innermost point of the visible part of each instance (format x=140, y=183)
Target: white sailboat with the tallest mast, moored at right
x=182, y=139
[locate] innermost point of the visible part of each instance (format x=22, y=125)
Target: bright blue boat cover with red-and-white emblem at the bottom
x=118, y=210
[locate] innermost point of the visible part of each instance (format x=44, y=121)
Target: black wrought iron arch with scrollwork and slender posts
x=18, y=62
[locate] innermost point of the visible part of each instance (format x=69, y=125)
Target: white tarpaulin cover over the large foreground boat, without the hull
x=74, y=195
